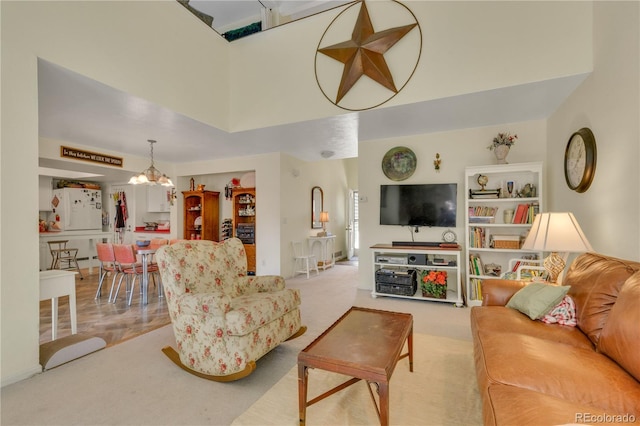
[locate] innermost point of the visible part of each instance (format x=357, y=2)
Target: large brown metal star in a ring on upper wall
x=363, y=55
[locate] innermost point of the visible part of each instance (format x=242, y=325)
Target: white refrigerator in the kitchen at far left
x=77, y=208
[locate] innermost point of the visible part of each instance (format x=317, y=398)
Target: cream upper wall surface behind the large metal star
x=468, y=47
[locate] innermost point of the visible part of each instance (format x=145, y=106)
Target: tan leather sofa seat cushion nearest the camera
x=577, y=375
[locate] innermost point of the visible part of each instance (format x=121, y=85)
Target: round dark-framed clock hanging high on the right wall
x=580, y=160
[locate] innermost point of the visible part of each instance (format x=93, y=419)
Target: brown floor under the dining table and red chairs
x=114, y=323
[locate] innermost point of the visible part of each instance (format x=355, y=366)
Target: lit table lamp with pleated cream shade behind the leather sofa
x=556, y=232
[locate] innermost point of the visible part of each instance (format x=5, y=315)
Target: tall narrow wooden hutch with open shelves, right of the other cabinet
x=244, y=222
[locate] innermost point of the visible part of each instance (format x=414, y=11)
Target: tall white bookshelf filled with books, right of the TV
x=523, y=178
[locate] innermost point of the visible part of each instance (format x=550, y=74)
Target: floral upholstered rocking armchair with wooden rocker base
x=223, y=319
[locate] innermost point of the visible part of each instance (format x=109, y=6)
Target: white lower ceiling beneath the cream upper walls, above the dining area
x=76, y=109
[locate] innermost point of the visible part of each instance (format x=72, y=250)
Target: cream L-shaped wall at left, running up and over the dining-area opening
x=131, y=46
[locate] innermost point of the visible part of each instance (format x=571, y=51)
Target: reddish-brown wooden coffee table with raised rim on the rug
x=365, y=344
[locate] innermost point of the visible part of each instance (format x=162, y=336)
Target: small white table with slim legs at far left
x=53, y=284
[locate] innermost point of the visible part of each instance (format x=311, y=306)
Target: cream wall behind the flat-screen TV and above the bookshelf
x=457, y=150
